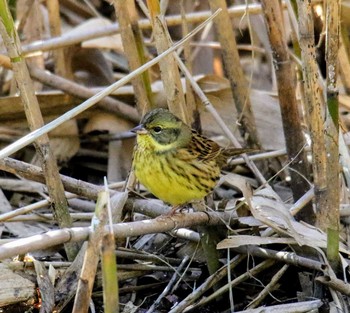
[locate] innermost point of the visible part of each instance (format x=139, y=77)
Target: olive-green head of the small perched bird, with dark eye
x=161, y=130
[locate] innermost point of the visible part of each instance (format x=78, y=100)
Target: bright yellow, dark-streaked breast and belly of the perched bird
x=173, y=175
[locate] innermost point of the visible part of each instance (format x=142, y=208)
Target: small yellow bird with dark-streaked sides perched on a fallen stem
x=174, y=162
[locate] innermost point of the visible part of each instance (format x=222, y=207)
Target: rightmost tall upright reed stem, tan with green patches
x=328, y=217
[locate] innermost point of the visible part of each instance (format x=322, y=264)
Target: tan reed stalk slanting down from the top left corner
x=35, y=121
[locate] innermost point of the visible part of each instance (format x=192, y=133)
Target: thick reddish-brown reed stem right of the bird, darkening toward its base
x=286, y=84
